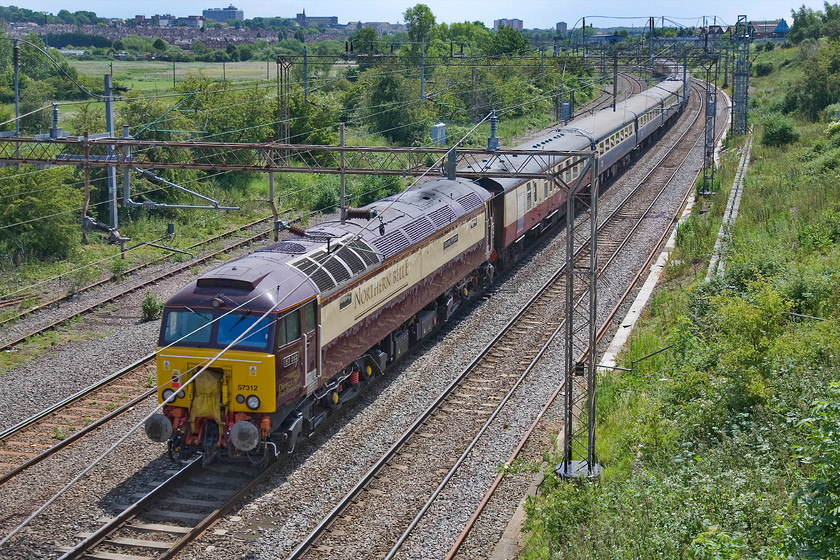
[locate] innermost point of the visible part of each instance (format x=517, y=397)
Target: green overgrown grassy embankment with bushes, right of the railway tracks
x=724, y=446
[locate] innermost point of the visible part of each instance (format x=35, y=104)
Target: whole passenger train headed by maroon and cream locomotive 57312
x=285, y=336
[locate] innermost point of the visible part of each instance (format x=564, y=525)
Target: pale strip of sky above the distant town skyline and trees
x=533, y=13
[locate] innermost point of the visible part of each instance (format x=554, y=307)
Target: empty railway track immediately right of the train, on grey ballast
x=429, y=454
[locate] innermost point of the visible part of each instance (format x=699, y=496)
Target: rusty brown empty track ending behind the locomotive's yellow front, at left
x=53, y=429
